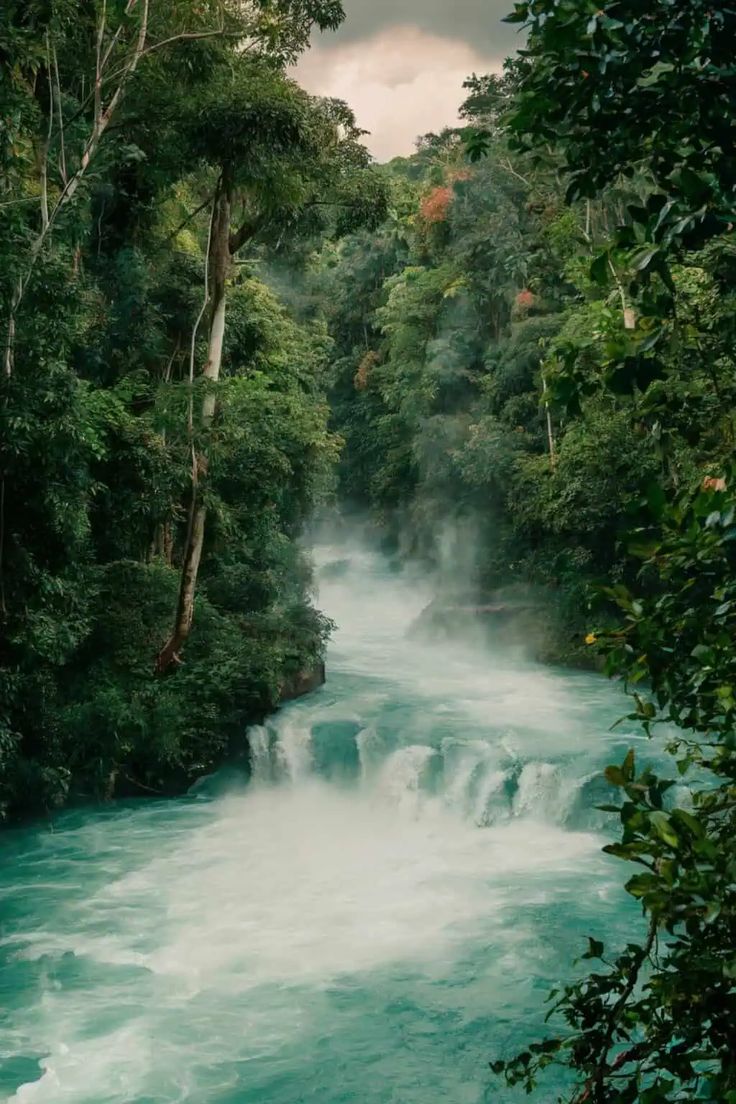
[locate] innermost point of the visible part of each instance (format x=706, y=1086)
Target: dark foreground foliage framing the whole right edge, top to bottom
x=617, y=91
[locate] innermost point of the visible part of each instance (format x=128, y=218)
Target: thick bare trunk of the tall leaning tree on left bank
x=219, y=270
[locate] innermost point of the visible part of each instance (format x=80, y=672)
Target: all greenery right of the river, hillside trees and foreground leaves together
x=553, y=370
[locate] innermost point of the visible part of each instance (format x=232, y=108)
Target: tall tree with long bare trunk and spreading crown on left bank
x=286, y=156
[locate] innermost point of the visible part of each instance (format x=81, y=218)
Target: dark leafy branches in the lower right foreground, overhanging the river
x=656, y=1025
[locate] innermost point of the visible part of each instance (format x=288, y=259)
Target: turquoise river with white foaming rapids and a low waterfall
x=375, y=918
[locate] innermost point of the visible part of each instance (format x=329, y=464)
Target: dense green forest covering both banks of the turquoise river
x=221, y=320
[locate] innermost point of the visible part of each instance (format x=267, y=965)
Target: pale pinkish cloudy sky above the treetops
x=401, y=63
